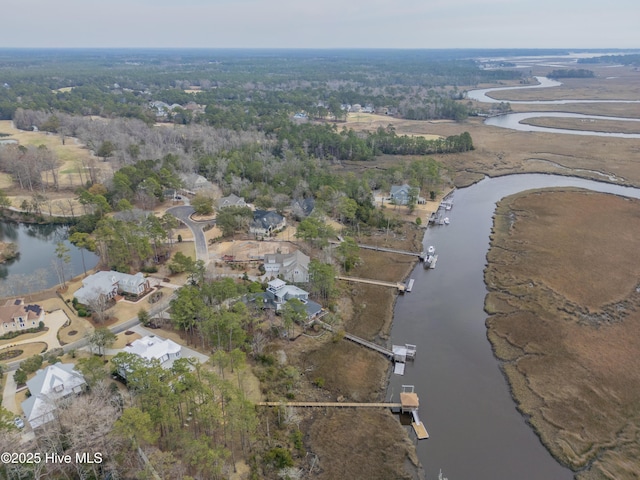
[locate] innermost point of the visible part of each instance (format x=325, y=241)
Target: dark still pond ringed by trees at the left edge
x=32, y=270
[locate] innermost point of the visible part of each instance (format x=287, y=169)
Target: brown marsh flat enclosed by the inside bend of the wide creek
x=565, y=320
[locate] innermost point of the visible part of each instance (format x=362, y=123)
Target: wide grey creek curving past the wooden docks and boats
x=476, y=431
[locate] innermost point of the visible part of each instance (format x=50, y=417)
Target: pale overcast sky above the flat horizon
x=320, y=24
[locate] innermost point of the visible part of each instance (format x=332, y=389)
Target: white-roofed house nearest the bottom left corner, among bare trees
x=50, y=388
